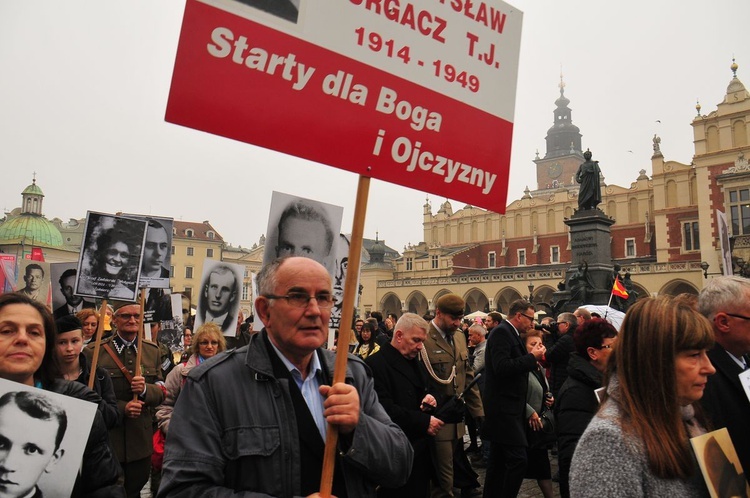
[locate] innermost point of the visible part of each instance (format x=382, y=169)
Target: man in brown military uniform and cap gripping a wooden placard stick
x=136, y=394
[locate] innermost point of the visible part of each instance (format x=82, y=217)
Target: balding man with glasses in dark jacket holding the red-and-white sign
x=255, y=419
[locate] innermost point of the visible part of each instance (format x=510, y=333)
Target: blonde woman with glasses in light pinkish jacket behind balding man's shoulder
x=206, y=343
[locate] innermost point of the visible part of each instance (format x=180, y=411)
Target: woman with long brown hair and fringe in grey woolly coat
x=638, y=442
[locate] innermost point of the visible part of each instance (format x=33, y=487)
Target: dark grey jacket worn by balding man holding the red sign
x=233, y=428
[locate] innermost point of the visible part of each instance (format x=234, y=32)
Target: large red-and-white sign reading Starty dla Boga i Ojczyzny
x=418, y=93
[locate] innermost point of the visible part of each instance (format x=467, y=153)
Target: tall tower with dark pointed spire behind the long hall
x=564, y=155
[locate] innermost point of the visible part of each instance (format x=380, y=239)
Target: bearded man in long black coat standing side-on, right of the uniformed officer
x=507, y=367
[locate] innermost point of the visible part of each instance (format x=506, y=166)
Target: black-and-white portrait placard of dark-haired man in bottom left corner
x=47, y=432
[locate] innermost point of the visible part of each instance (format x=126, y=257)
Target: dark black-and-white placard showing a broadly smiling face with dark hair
x=110, y=261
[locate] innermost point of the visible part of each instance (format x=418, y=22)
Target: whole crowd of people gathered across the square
x=251, y=413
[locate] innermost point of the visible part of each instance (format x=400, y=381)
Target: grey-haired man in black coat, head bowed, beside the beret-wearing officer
x=401, y=382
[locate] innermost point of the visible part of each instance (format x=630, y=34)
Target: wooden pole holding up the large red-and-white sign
x=347, y=312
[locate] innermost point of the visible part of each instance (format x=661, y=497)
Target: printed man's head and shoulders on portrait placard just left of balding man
x=219, y=299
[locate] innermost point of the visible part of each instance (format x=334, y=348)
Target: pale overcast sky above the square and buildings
x=84, y=85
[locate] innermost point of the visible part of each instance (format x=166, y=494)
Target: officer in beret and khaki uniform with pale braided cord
x=450, y=374
